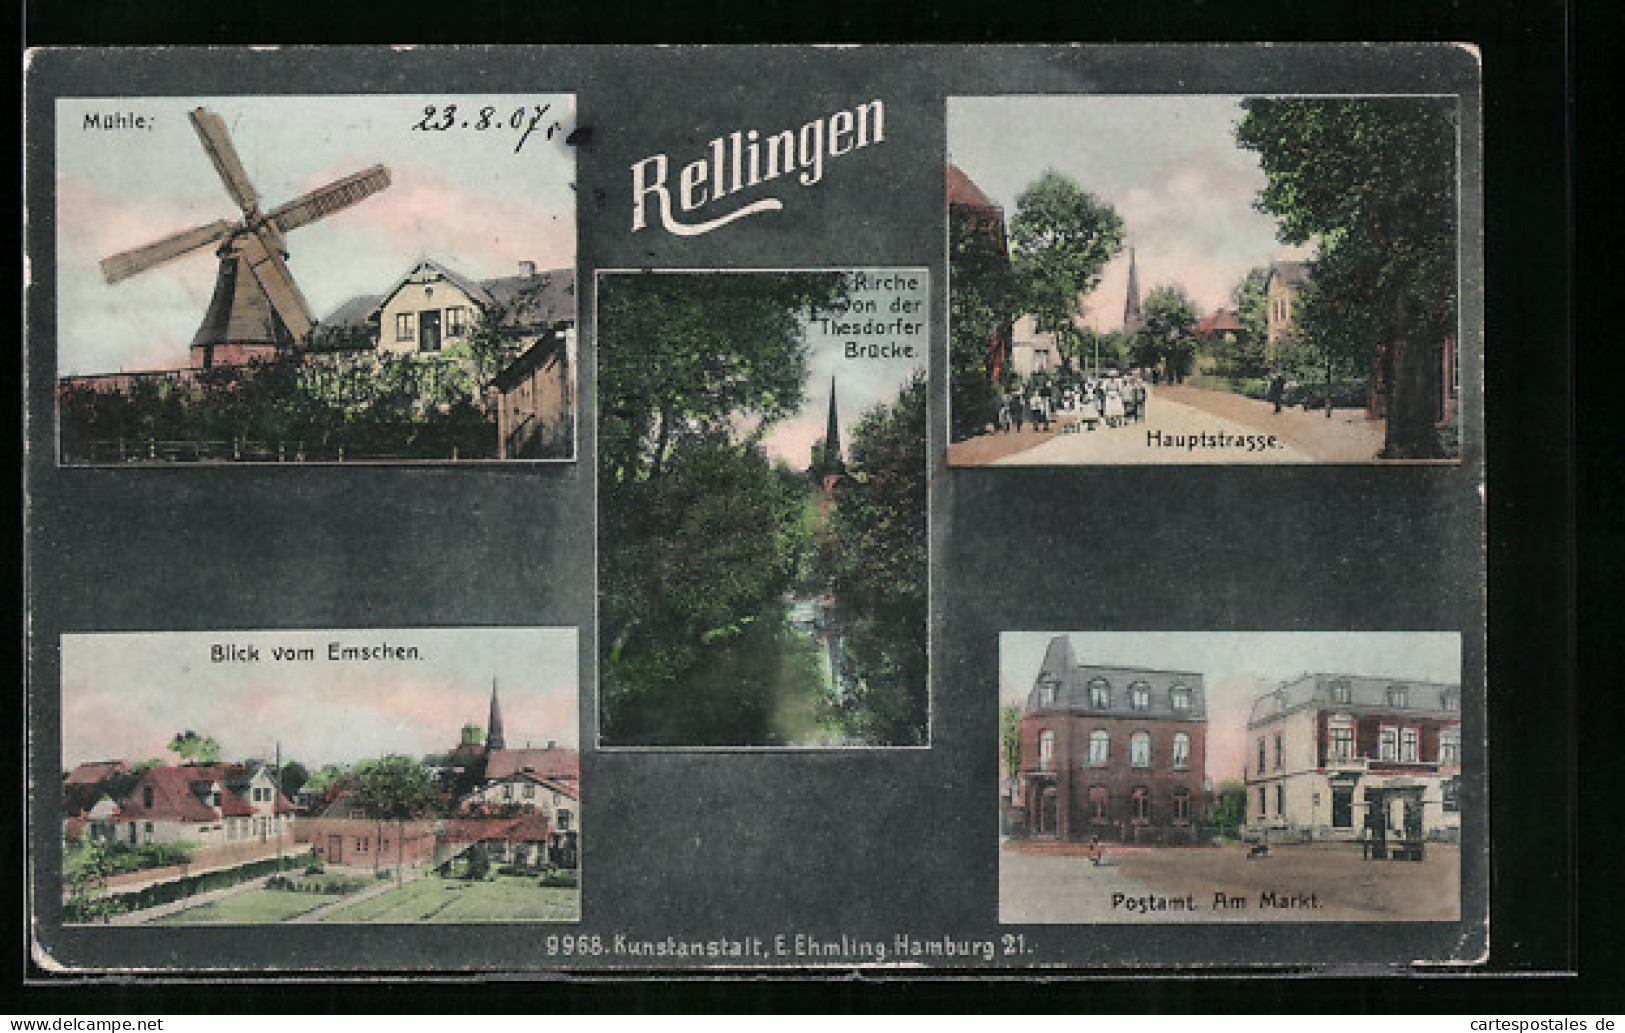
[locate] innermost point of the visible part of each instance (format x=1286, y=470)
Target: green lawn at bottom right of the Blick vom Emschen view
x=506, y=899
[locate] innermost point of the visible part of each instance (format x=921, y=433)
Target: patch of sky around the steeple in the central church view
x=860, y=384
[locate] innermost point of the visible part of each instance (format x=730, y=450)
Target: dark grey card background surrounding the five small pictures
x=865, y=844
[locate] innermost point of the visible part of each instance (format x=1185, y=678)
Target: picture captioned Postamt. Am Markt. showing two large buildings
x=1254, y=777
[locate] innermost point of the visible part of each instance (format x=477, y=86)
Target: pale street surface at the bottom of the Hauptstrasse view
x=1172, y=433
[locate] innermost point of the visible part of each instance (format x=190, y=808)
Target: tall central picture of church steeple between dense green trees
x=763, y=509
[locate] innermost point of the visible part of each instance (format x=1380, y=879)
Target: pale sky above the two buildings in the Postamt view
x=1237, y=667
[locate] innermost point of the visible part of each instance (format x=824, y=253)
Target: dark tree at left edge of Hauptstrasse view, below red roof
x=984, y=301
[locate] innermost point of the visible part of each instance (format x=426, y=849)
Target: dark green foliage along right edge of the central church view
x=880, y=577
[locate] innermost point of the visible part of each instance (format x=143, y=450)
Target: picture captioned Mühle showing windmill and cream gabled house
x=316, y=280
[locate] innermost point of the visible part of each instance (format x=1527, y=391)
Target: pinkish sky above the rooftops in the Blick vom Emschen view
x=126, y=694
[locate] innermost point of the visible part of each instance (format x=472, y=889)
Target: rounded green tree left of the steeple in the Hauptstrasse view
x=1064, y=238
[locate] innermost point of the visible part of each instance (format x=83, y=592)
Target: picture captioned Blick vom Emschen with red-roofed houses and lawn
x=365, y=776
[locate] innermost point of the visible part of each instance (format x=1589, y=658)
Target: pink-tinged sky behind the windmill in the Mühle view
x=461, y=196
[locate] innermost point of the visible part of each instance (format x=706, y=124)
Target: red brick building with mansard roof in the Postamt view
x=1112, y=753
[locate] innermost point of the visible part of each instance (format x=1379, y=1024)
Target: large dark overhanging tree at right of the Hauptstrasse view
x=1374, y=184
